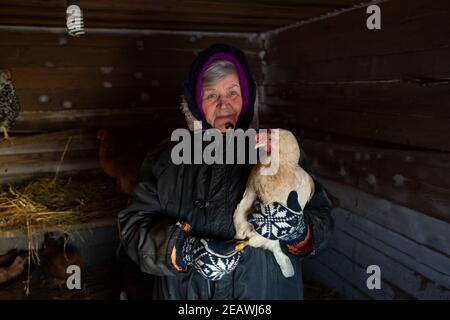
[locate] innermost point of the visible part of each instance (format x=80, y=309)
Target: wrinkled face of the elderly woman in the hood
x=222, y=102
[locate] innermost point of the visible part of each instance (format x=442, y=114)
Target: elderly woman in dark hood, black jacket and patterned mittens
x=179, y=223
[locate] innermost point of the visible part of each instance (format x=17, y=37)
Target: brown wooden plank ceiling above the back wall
x=193, y=15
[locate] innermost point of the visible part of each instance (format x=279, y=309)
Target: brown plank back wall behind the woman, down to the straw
x=125, y=80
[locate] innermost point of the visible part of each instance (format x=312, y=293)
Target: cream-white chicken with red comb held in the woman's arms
x=289, y=188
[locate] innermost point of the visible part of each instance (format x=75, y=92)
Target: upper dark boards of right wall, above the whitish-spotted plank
x=387, y=85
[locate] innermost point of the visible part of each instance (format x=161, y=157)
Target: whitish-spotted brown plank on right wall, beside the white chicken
x=415, y=179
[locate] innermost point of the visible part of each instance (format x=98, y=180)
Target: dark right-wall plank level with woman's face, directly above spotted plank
x=405, y=113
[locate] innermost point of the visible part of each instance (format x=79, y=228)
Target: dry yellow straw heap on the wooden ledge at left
x=59, y=202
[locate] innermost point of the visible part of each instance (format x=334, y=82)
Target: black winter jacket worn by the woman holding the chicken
x=206, y=196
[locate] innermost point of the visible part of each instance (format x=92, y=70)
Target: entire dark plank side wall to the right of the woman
x=372, y=112
